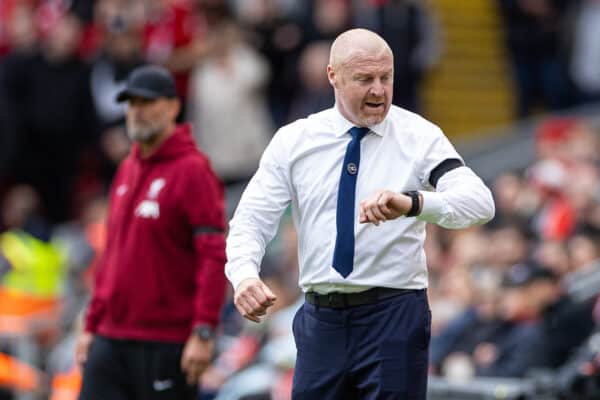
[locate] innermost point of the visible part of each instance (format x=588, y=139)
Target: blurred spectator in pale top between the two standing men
x=232, y=78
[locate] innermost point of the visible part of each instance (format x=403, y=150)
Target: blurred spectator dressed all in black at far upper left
x=41, y=87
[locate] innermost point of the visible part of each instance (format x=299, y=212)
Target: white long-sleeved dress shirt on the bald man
x=302, y=166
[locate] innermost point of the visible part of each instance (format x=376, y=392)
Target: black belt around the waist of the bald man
x=345, y=300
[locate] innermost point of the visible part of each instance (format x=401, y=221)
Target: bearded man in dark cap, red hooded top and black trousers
x=149, y=331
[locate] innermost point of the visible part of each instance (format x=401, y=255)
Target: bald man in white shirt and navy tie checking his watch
x=363, y=178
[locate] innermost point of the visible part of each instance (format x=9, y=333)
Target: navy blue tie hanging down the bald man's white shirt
x=343, y=254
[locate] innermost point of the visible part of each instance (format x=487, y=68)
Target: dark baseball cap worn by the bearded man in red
x=148, y=82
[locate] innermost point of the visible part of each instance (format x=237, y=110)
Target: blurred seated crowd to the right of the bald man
x=520, y=296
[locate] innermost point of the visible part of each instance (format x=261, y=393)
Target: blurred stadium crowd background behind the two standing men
x=515, y=84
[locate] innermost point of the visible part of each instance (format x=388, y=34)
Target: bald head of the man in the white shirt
x=361, y=71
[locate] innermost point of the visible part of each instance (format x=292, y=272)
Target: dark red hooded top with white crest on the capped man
x=162, y=271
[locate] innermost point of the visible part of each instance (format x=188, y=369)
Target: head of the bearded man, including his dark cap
x=153, y=104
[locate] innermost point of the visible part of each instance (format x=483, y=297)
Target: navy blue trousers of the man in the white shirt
x=376, y=351
